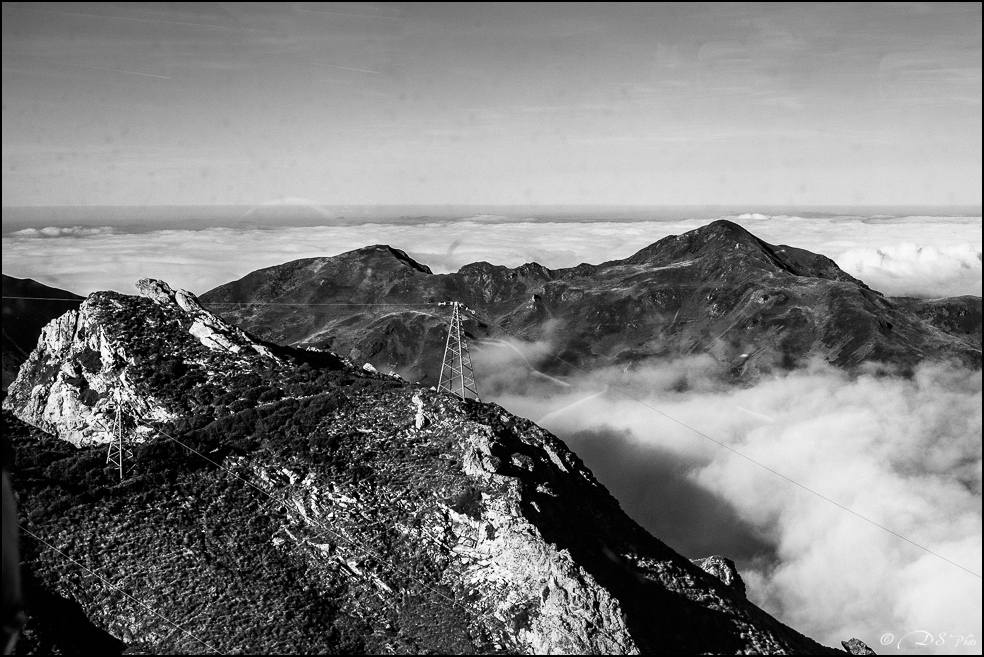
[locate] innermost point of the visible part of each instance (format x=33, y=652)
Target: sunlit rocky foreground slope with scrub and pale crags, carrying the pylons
x=282, y=500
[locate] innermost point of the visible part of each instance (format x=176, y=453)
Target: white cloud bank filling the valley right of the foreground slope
x=903, y=453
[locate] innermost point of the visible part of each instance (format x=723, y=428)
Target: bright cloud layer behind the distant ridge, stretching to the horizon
x=919, y=256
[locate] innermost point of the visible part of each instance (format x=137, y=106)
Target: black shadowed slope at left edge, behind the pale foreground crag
x=23, y=318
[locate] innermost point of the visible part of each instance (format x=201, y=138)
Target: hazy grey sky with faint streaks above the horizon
x=229, y=103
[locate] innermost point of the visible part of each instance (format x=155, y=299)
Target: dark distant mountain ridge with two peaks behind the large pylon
x=717, y=290
